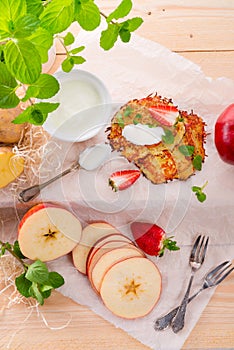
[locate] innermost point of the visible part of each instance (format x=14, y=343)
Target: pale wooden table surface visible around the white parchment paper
x=203, y=32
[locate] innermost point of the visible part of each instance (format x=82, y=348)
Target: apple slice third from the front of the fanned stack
x=105, y=247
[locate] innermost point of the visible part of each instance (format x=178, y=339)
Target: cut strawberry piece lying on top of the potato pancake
x=164, y=114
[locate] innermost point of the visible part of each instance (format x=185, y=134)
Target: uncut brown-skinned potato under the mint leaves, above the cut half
x=9, y=132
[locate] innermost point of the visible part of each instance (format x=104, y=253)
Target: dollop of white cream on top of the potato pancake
x=141, y=134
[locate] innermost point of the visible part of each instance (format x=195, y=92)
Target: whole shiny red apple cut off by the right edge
x=224, y=135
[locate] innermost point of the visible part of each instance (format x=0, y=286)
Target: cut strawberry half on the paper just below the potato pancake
x=120, y=180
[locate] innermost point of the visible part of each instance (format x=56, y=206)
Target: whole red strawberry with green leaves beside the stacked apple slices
x=152, y=238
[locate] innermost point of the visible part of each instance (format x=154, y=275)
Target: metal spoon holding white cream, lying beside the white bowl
x=90, y=159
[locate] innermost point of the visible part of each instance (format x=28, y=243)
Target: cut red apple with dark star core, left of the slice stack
x=47, y=232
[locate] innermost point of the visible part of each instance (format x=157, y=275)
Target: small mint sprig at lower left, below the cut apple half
x=36, y=281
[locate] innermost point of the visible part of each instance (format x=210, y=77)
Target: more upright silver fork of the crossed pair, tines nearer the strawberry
x=196, y=260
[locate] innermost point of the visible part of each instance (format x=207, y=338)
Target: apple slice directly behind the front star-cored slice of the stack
x=108, y=259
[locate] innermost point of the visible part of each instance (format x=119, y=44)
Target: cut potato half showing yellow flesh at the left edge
x=11, y=166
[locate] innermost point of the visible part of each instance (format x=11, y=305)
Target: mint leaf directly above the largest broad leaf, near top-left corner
x=25, y=26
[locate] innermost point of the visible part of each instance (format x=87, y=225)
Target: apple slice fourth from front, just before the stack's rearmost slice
x=102, y=241
